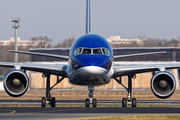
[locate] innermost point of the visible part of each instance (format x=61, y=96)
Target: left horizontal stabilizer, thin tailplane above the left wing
x=42, y=54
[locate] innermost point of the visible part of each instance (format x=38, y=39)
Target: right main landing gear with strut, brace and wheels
x=129, y=100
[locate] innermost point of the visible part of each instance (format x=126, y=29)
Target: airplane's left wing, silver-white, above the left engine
x=55, y=69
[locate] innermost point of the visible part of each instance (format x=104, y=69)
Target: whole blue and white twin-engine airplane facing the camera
x=90, y=63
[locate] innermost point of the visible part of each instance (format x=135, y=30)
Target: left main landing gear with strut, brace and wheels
x=48, y=100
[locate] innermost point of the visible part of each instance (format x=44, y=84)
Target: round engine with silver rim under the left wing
x=16, y=83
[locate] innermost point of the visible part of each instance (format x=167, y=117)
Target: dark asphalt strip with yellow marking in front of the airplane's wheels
x=34, y=113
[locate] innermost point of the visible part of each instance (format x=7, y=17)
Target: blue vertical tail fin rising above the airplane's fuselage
x=88, y=17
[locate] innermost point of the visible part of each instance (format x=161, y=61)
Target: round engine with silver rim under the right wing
x=163, y=84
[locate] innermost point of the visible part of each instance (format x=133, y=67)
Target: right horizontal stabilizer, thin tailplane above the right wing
x=139, y=54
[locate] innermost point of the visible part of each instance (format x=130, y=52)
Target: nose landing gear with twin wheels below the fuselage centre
x=91, y=95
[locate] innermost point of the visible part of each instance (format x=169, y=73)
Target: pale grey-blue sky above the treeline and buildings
x=60, y=19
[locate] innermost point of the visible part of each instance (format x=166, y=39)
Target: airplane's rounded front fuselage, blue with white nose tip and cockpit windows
x=91, y=59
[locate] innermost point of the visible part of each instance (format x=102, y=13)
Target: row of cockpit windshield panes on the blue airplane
x=92, y=51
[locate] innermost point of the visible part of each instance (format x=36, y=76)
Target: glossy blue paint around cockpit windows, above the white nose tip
x=91, y=41
